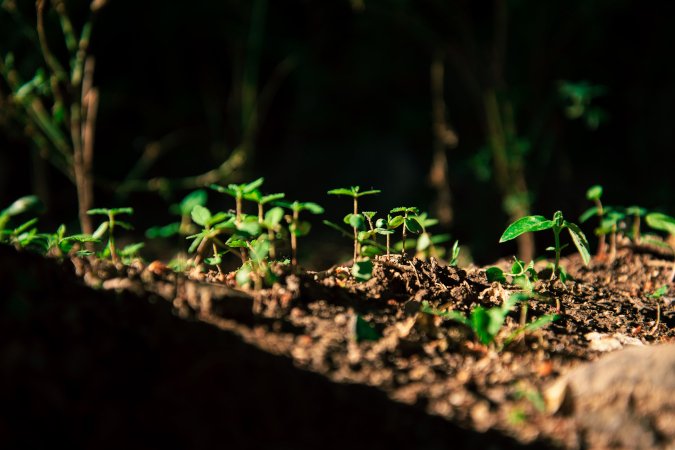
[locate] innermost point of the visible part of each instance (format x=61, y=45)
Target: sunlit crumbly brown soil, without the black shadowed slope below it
x=434, y=365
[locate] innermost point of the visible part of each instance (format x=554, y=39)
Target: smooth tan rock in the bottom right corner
x=624, y=400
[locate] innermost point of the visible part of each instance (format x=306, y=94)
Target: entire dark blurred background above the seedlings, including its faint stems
x=475, y=111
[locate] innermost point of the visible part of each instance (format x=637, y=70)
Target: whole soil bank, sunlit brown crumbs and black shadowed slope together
x=98, y=356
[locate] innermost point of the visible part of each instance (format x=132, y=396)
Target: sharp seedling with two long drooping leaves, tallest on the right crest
x=557, y=224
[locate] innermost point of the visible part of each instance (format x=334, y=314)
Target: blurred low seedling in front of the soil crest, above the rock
x=486, y=324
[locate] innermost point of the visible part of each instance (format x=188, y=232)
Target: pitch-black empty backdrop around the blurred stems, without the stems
x=356, y=106
